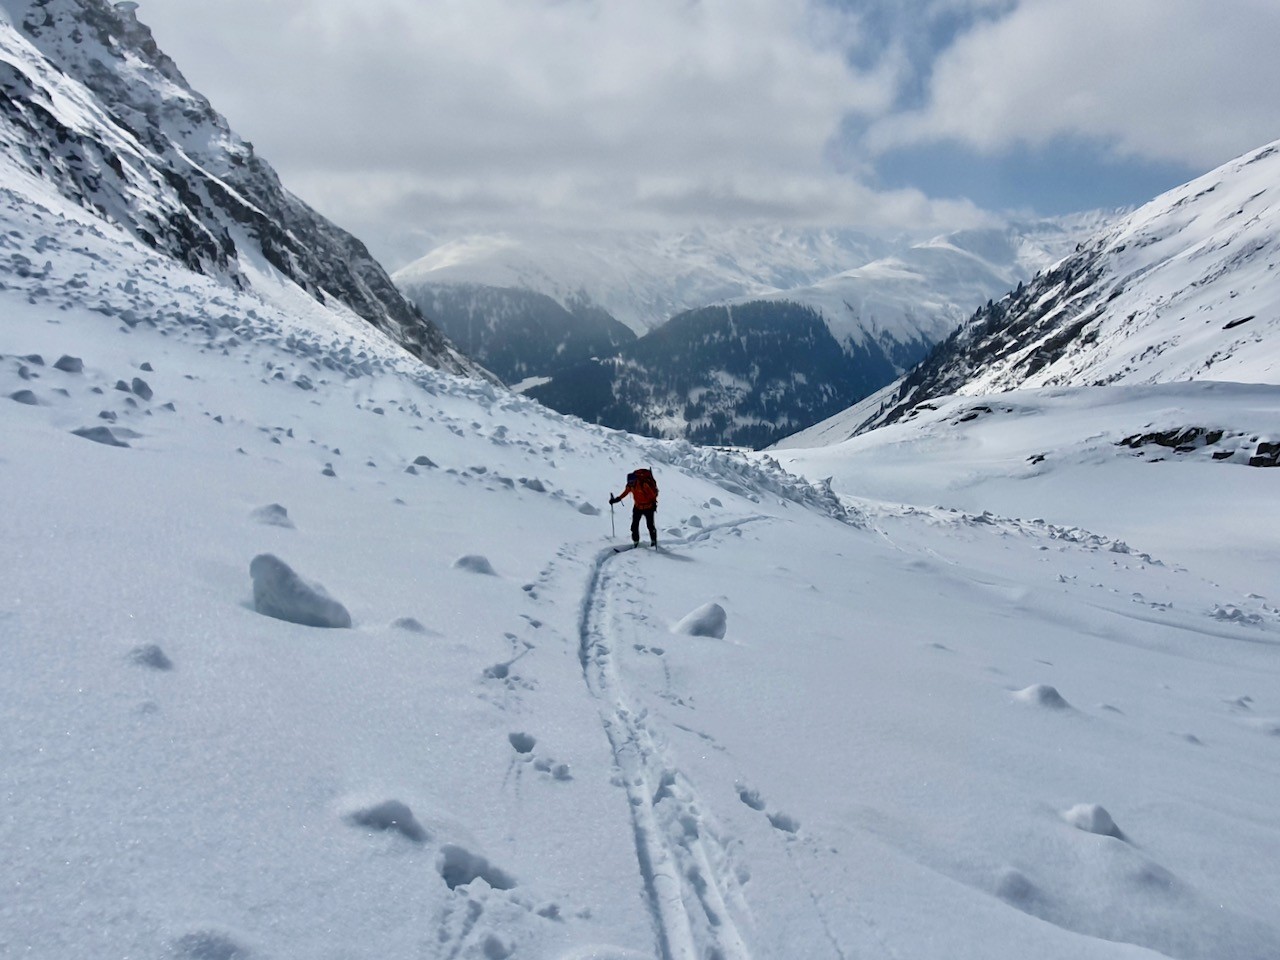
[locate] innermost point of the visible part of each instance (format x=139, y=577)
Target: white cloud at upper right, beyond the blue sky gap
x=1185, y=81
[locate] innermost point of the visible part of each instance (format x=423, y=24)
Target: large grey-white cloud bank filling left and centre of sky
x=589, y=111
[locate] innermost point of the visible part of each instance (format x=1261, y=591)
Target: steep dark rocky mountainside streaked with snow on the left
x=93, y=107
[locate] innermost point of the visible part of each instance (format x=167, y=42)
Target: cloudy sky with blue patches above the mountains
x=415, y=120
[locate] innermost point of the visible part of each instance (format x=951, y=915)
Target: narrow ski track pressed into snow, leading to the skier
x=688, y=885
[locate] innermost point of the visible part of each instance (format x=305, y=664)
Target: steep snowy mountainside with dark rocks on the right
x=1185, y=289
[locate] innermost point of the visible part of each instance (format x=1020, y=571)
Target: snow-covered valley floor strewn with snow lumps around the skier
x=907, y=733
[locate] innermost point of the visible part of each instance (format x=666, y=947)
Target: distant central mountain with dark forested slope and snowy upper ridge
x=758, y=369
